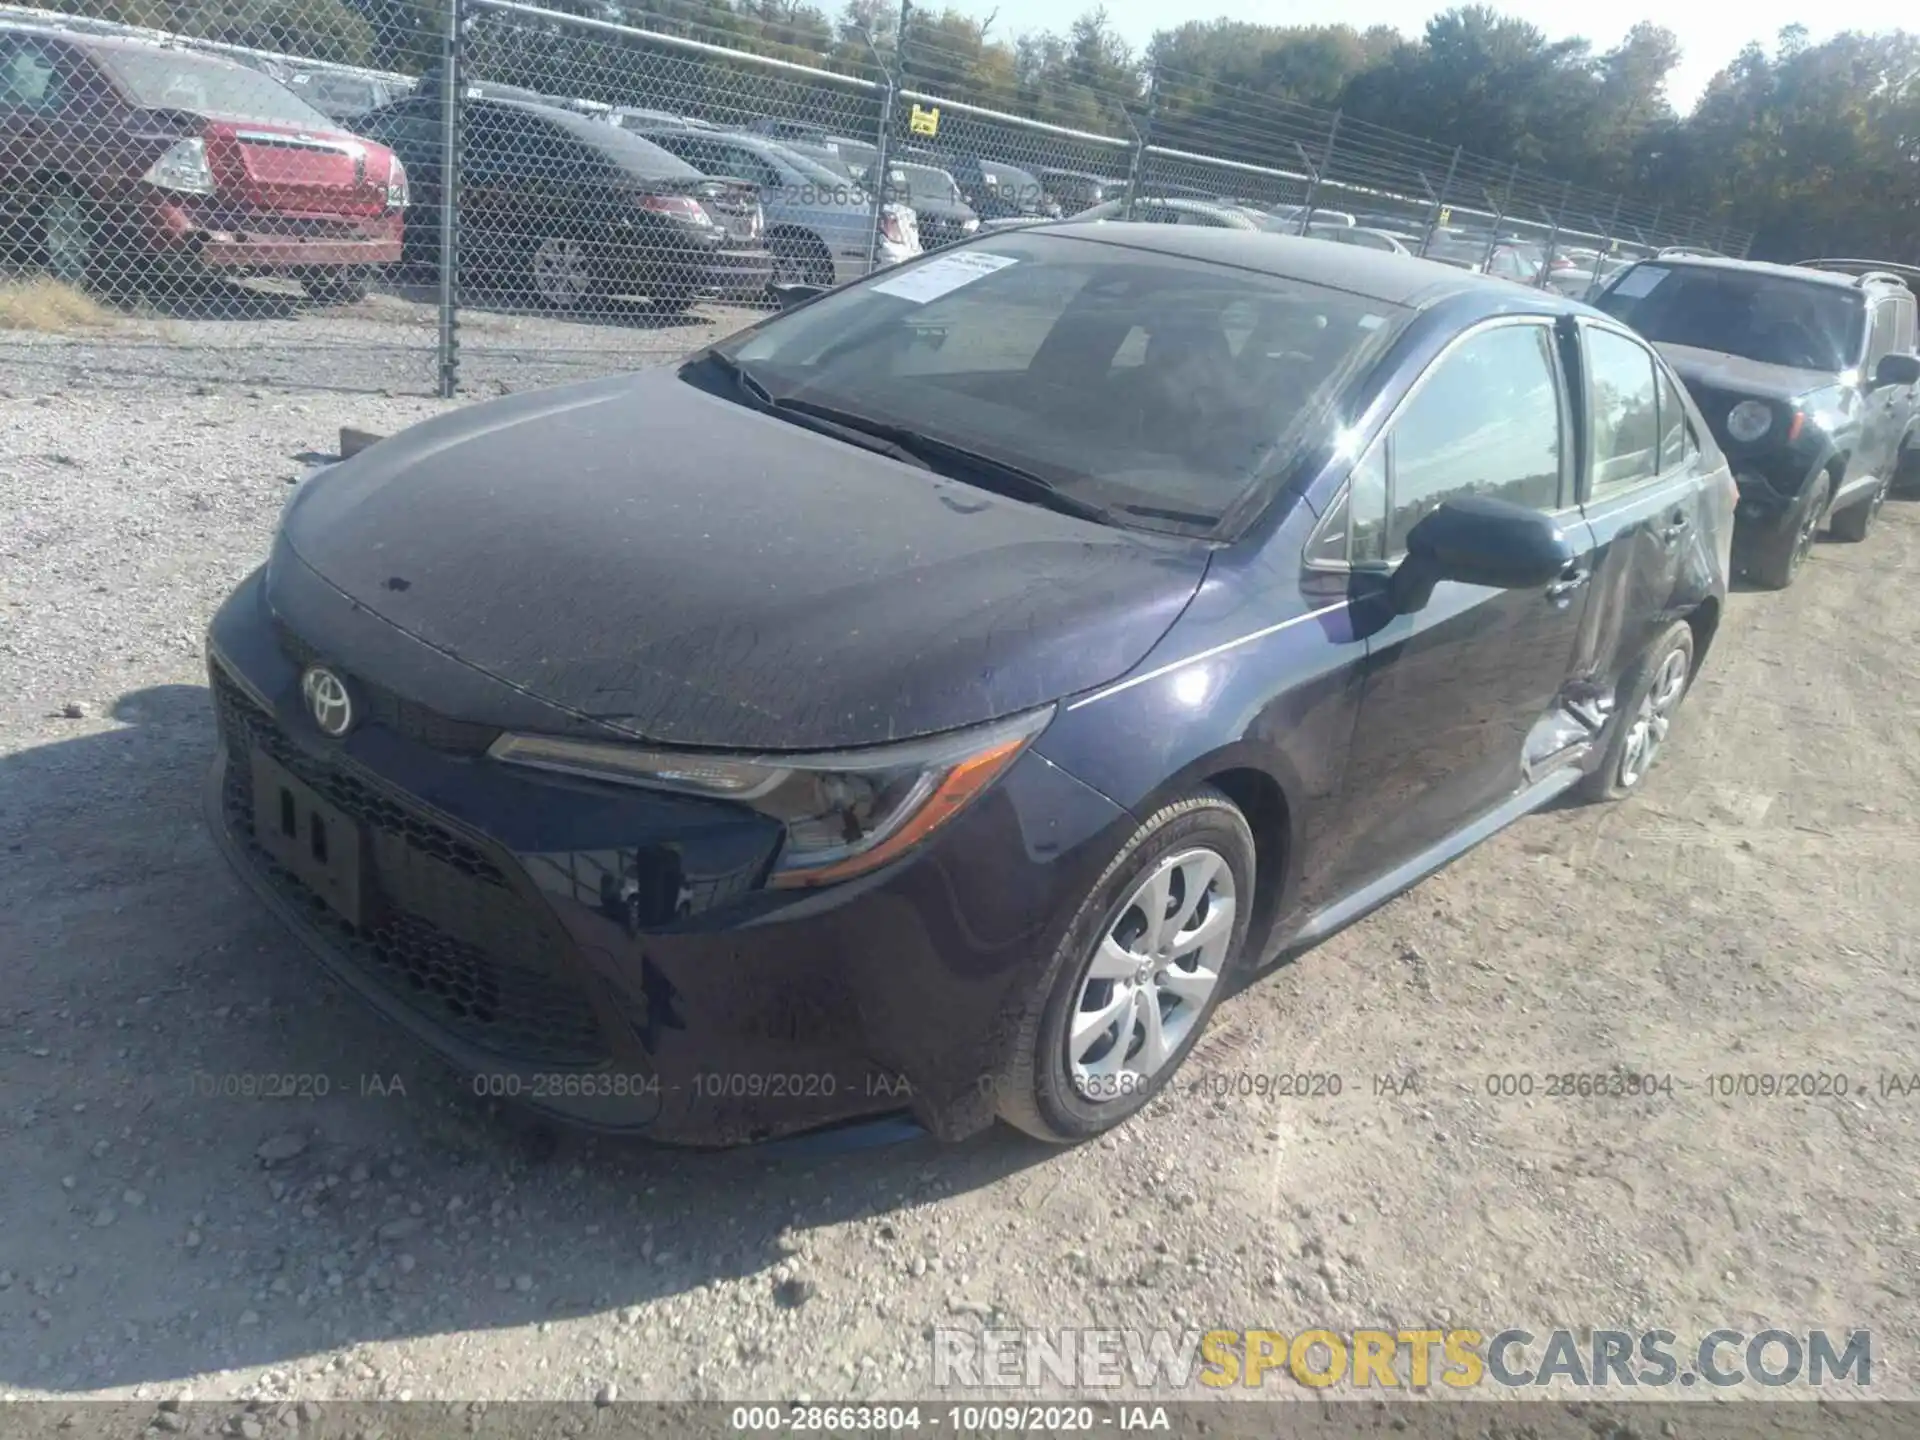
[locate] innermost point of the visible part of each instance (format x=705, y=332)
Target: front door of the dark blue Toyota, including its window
x=1464, y=700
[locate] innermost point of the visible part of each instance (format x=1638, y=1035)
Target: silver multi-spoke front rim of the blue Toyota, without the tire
x=1151, y=976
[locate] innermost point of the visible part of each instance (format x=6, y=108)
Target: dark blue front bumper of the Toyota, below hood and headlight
x=608, y=957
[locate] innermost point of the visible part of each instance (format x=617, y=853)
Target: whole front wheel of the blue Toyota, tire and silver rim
x=1205, y=852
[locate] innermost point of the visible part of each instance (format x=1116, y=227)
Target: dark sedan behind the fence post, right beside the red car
x=565, y=208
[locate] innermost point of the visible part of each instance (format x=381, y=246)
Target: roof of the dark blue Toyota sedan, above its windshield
x=1374, y=274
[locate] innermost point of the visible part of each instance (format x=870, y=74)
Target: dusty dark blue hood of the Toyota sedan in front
x=690, y=571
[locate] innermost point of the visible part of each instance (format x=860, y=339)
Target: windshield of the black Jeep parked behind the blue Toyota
x=1762, y=318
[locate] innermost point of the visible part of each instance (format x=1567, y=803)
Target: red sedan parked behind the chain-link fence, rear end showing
x=128, y=164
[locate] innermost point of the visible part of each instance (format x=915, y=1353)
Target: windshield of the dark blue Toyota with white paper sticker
x=1164, y=391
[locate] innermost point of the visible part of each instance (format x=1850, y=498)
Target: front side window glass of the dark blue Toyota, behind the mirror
x=1485, y=423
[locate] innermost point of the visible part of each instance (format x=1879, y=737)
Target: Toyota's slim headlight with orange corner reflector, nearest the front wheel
x=846, y=813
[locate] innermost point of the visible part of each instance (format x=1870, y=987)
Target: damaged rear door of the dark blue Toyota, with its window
x=1643, y=494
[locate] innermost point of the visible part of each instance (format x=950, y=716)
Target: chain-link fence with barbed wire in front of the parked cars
x=489, y=195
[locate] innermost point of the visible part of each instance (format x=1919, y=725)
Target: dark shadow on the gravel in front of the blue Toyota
x=216, y=1159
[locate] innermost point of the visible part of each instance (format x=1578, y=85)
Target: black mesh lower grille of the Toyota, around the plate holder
x=443, y=930
